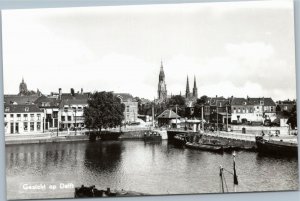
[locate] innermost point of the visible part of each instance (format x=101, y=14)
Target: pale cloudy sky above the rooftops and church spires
x=232, y=48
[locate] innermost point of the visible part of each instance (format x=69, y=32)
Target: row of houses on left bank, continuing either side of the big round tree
x=57, y=111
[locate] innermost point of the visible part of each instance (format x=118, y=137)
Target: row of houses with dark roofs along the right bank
x=243, y=110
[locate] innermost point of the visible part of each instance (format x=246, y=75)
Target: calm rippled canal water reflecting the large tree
x=151, y=168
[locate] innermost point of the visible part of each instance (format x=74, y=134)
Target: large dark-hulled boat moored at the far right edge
x=274, y=147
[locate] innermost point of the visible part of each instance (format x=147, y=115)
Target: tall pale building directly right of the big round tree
x=131, y=107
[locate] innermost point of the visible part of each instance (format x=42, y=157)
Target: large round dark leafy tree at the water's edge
x=104, y=111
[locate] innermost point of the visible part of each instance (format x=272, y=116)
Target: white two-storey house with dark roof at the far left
x=22, y=119
